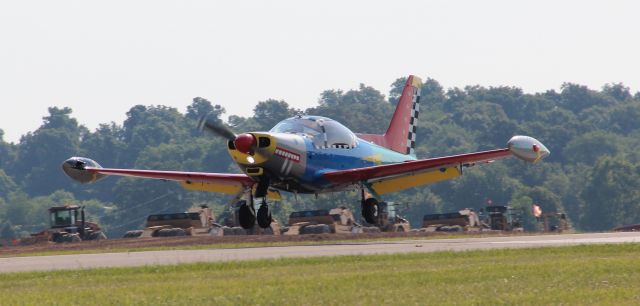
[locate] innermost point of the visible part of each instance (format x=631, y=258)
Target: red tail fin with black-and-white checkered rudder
x=401, y=134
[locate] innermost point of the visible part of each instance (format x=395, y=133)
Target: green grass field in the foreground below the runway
x=580, y=275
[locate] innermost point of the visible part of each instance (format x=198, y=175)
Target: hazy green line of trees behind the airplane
x=592, y=175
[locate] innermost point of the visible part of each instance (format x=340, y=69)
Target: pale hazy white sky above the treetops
x=102, y=57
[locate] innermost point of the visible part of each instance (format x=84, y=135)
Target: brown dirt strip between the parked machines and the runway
x=134, y=243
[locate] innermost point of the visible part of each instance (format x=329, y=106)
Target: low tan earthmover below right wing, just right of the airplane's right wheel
x=463, y=220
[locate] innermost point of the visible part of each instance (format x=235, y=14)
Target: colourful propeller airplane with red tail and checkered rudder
x=314, y=154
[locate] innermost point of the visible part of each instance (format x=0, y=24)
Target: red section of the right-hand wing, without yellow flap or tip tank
x=411, y=167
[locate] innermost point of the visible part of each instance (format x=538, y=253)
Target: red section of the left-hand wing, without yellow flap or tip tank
x=203, y=177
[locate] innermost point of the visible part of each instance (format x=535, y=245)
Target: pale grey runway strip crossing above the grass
x=88, y=261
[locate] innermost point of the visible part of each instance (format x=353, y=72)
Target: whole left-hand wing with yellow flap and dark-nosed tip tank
x=85, y=170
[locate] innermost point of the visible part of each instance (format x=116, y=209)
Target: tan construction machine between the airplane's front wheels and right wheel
x=322, y=221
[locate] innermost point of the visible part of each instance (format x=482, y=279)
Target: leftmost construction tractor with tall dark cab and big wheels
x=68, y=224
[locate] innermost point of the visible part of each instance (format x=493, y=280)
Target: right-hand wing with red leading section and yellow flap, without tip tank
x=394, y=177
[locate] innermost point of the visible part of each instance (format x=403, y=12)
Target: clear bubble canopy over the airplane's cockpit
x=325, y=133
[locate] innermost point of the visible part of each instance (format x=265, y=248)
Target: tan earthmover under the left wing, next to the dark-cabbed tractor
x=196, y=221
